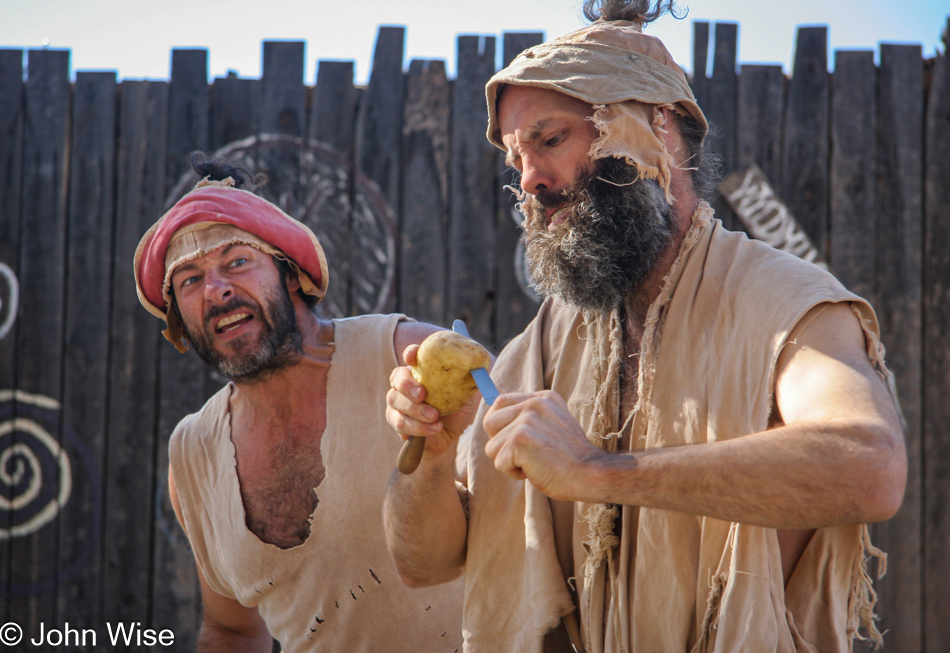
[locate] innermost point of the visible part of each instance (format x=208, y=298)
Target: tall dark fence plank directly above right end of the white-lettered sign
x=805, y=147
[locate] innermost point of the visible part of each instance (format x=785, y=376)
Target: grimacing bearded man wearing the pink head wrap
x=279, y=478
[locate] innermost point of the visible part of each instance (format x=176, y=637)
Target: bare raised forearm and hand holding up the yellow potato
x=426, y=527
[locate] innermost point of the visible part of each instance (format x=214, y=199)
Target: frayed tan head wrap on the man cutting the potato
x=628, y=77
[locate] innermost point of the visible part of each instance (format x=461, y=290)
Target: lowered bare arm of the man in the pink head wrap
x=226, y=625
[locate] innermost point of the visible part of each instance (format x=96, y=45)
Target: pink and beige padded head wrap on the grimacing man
x=214, y=215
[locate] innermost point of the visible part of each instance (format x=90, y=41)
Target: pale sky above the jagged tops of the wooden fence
x=134, y=37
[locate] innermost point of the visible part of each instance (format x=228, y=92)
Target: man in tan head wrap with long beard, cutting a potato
x=697, y=426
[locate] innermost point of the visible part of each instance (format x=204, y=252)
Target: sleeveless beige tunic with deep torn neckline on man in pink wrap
x=338, y=591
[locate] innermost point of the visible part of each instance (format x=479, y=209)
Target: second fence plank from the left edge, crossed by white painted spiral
x=39, y=359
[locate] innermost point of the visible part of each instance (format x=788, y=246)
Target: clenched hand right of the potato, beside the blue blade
x=534, y=436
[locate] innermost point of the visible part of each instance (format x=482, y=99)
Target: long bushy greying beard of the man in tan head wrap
x=615, y=230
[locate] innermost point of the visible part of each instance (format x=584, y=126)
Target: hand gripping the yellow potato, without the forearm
x=407, y=413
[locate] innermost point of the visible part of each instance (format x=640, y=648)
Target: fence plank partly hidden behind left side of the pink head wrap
x=182, y=378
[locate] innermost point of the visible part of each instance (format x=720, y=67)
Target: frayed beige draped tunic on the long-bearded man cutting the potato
x=673, y=582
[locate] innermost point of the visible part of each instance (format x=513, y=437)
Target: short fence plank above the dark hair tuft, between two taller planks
x=235, y=109
